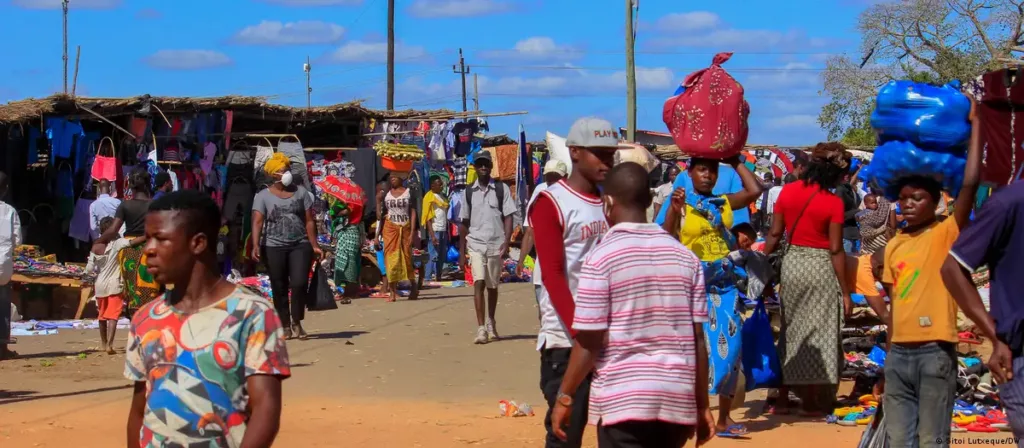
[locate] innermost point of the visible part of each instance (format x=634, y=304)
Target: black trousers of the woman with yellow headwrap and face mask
x=290, y=273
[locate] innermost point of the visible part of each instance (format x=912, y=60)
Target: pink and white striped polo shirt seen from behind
x=648, y=291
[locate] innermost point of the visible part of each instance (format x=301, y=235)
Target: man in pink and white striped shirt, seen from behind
x=639, y=315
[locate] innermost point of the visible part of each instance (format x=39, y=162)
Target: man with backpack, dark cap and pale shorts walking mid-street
x=487, y=222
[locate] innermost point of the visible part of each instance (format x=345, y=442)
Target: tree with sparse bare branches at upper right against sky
x=933, y=41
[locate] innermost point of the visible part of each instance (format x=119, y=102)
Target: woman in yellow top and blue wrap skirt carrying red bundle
x=703, y=222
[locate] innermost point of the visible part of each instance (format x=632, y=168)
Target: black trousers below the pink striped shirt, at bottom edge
x=644, y=435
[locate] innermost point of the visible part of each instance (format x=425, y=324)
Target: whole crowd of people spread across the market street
x=639, y=321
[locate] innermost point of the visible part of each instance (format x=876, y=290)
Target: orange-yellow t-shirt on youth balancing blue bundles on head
x=923, y=310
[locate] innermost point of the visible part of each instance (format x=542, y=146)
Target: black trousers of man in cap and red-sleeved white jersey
x=553, y=366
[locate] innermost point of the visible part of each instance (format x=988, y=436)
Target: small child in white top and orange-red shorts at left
x=110, y=302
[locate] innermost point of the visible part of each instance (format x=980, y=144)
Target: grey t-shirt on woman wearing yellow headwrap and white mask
x=284, y=218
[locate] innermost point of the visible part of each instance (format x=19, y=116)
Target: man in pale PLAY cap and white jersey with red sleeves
x=568, y=221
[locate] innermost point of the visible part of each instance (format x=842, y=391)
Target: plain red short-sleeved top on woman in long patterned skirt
x=824, y=209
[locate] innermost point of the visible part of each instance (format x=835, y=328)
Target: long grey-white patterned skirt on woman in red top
x=813, y=319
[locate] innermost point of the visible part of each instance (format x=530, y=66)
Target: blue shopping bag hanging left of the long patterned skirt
x=761, y=365
